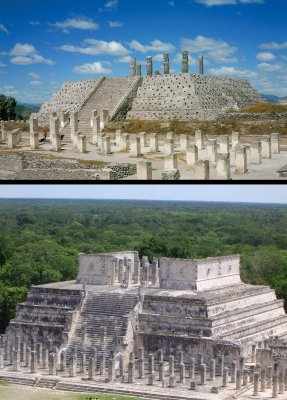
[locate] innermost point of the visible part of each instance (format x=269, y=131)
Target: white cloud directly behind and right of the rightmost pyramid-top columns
x=217, y=50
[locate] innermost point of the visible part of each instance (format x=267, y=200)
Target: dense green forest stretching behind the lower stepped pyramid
x=40, y=239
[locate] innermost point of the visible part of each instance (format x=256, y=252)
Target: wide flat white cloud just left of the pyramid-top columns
x=97, y=47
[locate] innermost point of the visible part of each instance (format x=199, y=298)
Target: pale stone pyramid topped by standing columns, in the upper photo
x=169, y=96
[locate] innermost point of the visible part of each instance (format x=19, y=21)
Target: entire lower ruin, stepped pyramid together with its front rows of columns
x=128, y=325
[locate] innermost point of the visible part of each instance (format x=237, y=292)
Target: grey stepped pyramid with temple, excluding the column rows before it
x=120, y=302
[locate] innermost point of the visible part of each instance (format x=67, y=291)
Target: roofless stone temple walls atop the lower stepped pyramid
x=126, y=268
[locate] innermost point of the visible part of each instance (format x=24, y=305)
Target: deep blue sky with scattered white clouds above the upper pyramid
x=44, y=43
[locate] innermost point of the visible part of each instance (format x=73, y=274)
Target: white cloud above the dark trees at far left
x=25, y=54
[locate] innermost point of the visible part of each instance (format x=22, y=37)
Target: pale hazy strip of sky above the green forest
x=236, y=193
